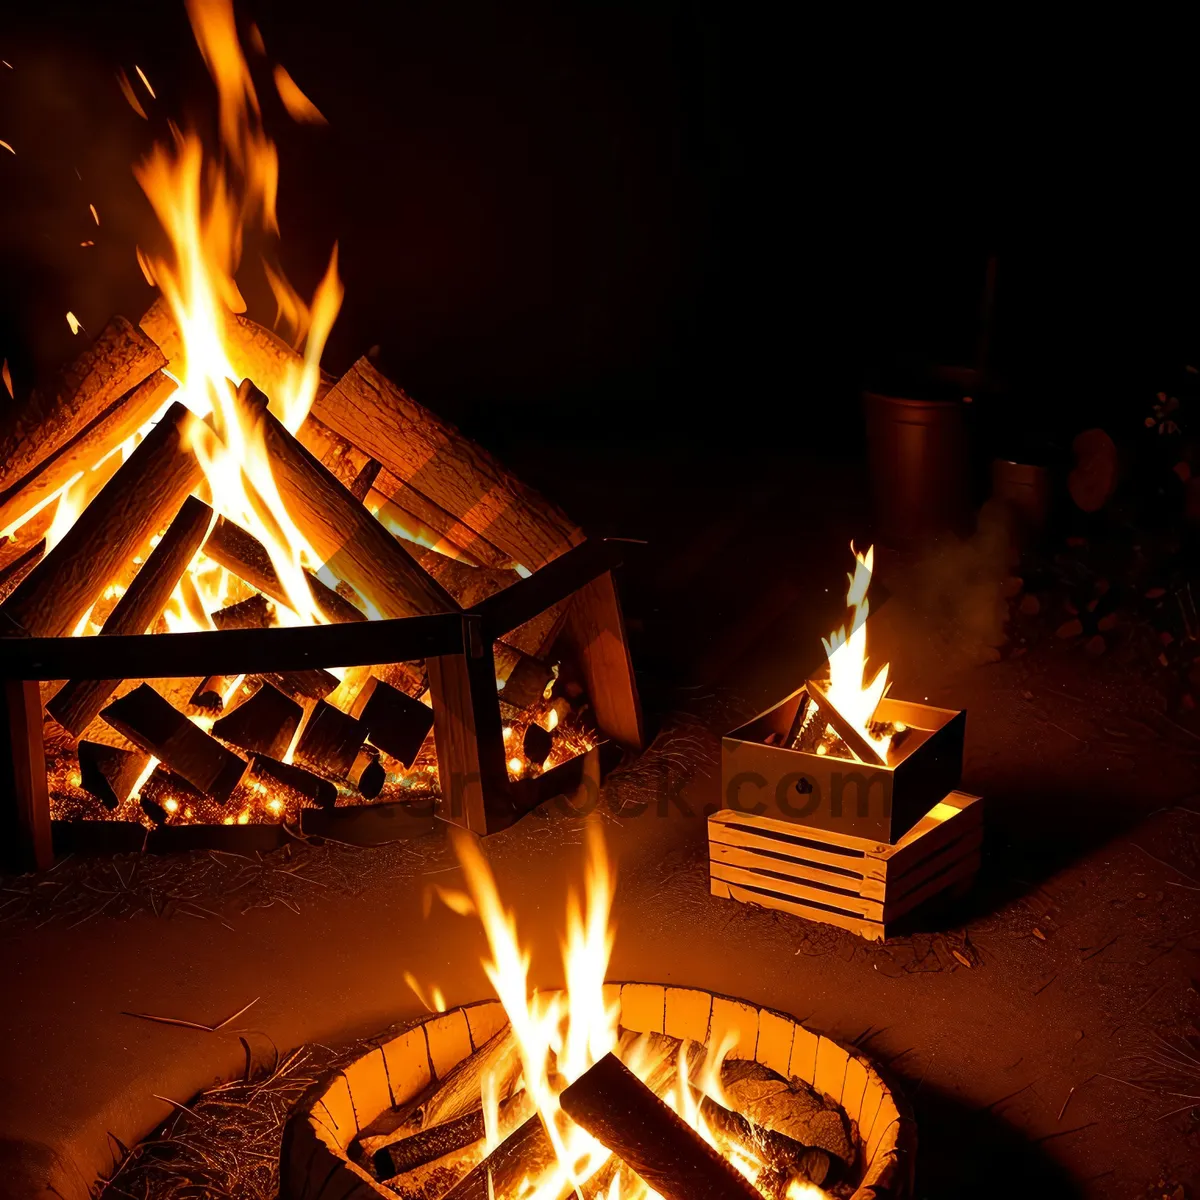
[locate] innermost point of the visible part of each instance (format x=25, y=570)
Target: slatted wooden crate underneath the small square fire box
x=853, y=883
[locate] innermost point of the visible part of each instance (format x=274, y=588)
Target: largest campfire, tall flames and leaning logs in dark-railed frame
x=386, y=615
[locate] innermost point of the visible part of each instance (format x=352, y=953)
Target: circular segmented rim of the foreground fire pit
x=315, y=1165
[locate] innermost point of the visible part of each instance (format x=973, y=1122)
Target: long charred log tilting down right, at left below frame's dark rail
x=149, y=722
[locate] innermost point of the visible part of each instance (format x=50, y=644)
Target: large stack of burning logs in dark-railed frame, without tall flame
x=106, y=533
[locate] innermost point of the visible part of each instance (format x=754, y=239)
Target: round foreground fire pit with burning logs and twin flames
x=615, y=1093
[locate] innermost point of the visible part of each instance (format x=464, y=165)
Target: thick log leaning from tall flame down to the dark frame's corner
x=358, y=549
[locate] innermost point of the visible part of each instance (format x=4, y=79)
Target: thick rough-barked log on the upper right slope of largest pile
x=433, y=457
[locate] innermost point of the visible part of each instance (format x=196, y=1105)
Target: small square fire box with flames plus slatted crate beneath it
x=842, y=805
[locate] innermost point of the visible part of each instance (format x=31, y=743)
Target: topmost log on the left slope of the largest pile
x=119, y=359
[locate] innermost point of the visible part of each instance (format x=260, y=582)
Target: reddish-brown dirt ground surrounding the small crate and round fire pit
x=1064, y=1059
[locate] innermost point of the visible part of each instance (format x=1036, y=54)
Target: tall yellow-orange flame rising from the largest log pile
x=206, y=211
